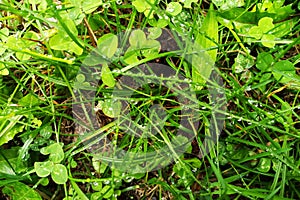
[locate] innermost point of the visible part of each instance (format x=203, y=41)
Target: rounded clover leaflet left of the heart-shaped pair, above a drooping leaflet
x=107, y=45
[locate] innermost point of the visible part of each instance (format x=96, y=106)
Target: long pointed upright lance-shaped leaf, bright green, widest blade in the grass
x=202, y=65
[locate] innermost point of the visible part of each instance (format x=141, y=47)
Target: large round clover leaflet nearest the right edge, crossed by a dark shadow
x=284, y=71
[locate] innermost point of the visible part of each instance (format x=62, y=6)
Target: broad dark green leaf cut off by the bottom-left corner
x=20, y=191
